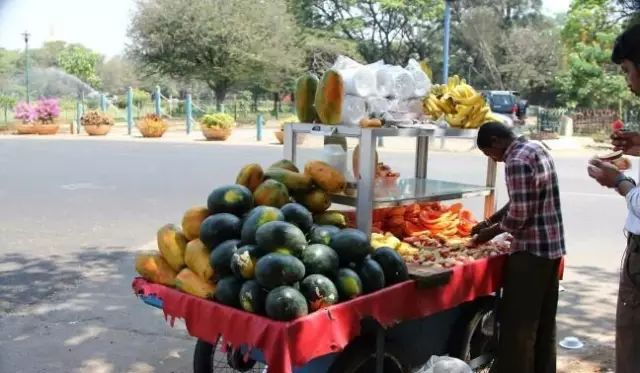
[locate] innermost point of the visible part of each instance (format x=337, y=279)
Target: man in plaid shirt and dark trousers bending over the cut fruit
x=533, y=217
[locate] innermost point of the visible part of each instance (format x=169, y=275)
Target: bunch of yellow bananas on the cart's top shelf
x=458, y=103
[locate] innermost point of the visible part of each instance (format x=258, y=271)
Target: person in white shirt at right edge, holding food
x=626, y=52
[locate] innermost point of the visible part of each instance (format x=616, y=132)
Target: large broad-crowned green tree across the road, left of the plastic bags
x=224, y=43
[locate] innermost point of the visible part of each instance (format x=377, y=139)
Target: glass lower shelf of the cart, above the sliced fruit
x=406, y=191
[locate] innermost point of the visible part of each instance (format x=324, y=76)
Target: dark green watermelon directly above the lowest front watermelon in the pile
x=273, y=270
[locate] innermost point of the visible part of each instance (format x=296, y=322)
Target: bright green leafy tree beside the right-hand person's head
x=590, y=79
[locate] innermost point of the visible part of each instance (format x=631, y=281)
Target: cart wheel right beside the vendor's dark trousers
x=480, y=341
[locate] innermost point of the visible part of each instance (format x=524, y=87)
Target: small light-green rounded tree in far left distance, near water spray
x=80, y=62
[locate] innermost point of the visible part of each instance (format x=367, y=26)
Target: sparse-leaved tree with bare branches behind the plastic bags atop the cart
x=393, y=30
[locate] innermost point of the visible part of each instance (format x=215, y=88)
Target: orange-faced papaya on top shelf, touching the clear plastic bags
x=330, y=97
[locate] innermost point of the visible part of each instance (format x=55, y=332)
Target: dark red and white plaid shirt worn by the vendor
x=533, y=217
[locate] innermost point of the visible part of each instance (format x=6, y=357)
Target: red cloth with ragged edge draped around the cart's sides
x=289, y=344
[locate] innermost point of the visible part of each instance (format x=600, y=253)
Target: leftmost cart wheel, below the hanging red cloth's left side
x=207, y=358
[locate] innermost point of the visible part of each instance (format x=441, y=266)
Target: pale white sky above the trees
x=98, y=24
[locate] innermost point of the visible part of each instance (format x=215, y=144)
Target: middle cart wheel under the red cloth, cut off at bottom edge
x=360, y=357
